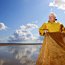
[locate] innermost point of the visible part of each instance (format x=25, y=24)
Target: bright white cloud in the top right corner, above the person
x=60, y=4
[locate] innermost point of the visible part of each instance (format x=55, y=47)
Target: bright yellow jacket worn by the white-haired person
x=51, y=27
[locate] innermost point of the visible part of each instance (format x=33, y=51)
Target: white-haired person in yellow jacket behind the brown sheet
x=52, y=25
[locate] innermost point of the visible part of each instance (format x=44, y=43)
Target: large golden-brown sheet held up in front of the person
x=52, y=51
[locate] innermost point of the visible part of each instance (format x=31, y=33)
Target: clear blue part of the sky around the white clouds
x=15, y=13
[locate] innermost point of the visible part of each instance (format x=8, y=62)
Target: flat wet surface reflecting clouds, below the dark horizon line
x=19, y=55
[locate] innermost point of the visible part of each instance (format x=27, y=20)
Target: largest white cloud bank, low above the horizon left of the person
x=24, y=33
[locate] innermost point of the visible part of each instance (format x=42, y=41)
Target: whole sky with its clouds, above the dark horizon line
x=21, y=19
